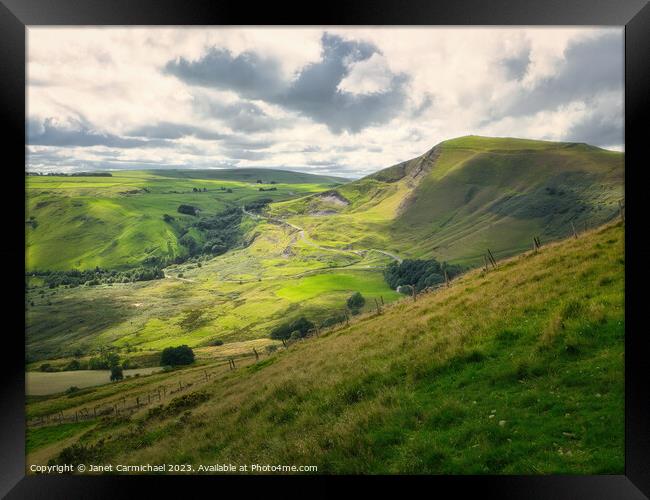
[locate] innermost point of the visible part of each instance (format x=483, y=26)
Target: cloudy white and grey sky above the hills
x=337, y=101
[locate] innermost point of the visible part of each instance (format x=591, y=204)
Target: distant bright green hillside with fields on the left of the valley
x=117, y=222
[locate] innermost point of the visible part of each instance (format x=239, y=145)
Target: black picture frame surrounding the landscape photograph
x=17, y=15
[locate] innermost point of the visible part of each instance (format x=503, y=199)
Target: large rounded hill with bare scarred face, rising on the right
x=467, y=195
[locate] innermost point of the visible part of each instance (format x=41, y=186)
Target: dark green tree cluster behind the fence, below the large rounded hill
x=419, y=273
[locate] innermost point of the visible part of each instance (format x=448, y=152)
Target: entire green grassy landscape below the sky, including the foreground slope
x=257, y=249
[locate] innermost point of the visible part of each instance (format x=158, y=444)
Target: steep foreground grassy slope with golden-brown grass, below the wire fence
x=518, y=370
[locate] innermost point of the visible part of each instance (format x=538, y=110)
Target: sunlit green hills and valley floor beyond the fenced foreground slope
x=305, y=254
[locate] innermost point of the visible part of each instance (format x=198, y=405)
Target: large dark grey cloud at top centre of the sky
x=314, y=92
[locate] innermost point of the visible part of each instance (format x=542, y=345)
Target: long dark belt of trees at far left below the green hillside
x=97, y=276
